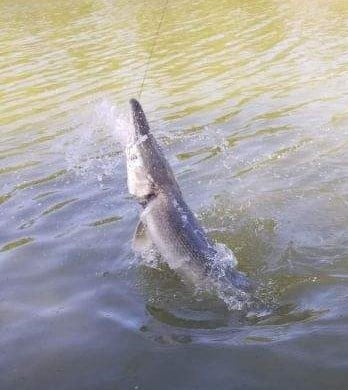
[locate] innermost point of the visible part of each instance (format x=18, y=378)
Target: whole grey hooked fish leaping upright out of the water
x=166, y=222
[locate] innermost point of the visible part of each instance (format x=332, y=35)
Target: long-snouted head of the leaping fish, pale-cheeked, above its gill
x=148, y=172
